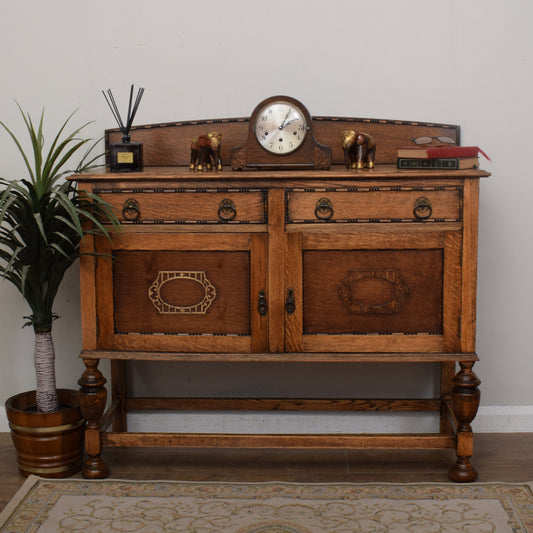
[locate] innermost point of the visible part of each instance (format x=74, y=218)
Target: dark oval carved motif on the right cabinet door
x=373, y=291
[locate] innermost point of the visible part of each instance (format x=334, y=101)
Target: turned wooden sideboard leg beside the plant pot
x=93, y=397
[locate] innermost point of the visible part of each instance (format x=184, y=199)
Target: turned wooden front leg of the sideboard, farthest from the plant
x=465, y=401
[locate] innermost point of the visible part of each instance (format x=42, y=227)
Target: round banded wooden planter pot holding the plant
x=47, y=444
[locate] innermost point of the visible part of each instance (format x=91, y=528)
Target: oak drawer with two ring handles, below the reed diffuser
x=187, y=206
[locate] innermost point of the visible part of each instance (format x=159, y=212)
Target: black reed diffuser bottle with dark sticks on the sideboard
x=125, y=156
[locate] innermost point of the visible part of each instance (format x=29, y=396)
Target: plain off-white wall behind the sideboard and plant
x=462, y=61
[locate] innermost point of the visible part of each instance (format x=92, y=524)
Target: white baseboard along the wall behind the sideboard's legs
x=490, y=419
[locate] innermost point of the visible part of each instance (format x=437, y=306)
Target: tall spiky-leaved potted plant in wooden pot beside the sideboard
x=43, y=219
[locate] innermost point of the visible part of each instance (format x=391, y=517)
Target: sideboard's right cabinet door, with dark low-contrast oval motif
x=374, y=291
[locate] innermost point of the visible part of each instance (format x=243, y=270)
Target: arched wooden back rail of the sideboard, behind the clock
x=168, y=144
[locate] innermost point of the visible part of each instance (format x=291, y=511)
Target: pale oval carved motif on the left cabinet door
x=166, y=276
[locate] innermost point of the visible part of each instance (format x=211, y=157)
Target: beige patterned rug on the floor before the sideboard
x=73, y=505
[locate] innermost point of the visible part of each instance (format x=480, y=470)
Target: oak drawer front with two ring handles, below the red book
x=374, y=204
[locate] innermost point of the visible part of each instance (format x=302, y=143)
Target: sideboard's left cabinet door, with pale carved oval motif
x=186, y=292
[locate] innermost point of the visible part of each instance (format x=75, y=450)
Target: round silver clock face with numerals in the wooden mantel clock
x=280, y=127
